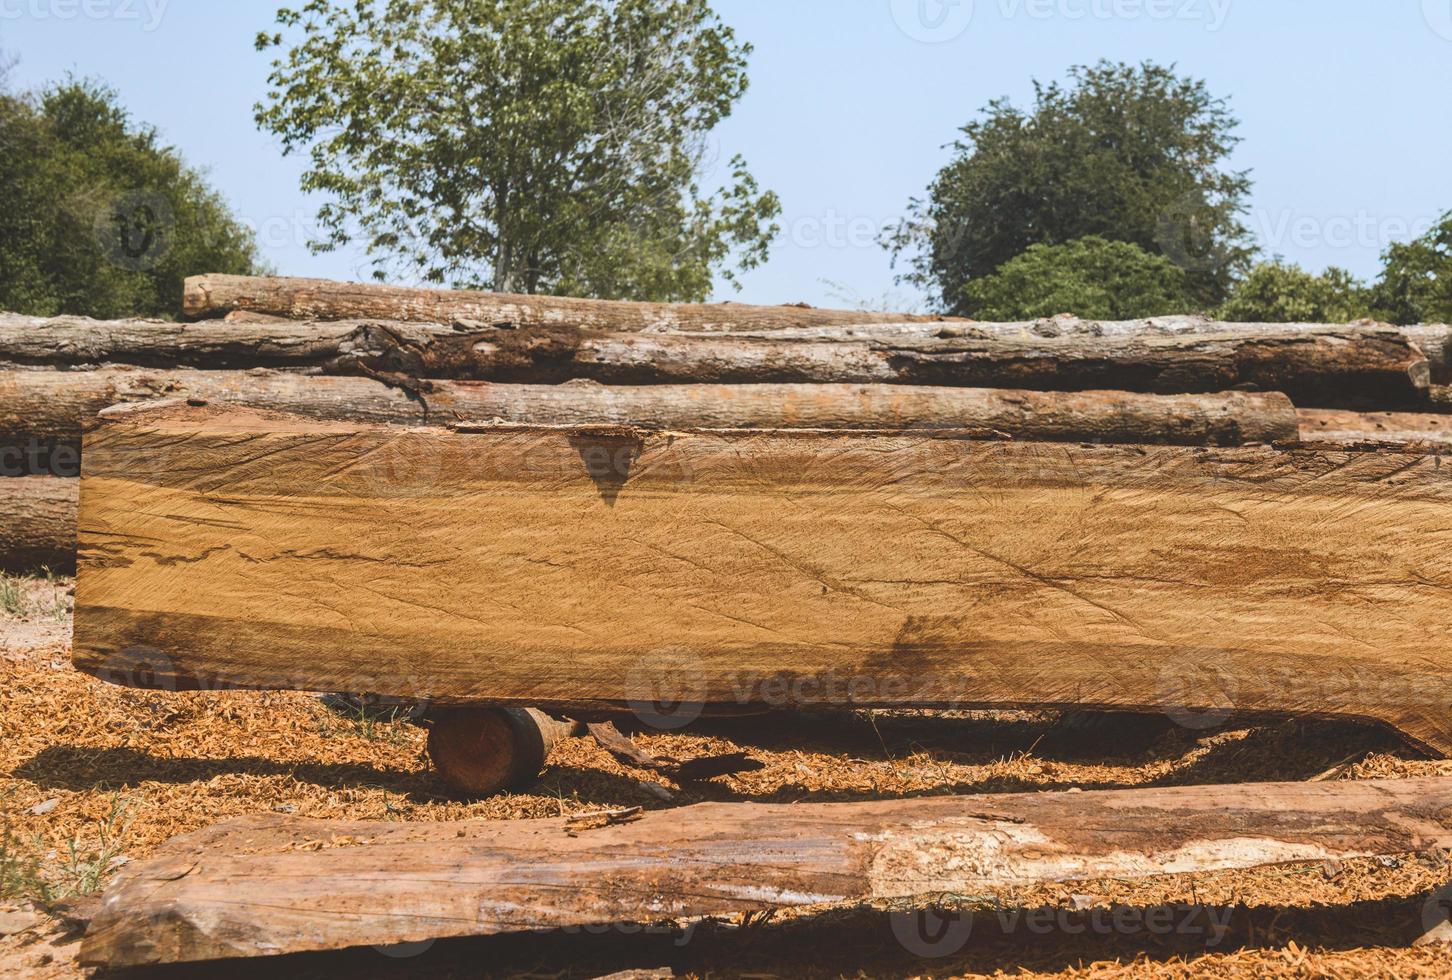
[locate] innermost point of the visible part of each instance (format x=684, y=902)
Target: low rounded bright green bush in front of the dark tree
x=1090, y=277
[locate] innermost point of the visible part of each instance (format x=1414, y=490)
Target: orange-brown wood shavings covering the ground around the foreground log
x=92, y=776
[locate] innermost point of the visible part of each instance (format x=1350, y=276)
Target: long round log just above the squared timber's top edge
x=52, y=406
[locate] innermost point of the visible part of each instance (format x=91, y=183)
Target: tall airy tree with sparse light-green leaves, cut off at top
x=526, y=146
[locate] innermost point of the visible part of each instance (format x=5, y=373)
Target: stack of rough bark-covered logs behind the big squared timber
x=429, y=358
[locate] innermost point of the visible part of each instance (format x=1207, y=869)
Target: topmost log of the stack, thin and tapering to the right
x=323, y=300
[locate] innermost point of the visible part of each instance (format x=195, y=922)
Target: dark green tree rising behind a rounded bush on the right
x=1125, y=153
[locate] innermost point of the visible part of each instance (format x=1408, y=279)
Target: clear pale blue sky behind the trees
x=1347, y=110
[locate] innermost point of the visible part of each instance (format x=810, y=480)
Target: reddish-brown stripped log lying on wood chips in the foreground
x=271, y=886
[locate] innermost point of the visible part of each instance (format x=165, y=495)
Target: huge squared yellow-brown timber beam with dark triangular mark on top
x=560, y=567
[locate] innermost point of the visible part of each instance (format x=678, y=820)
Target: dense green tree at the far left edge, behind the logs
x=97, y=217
